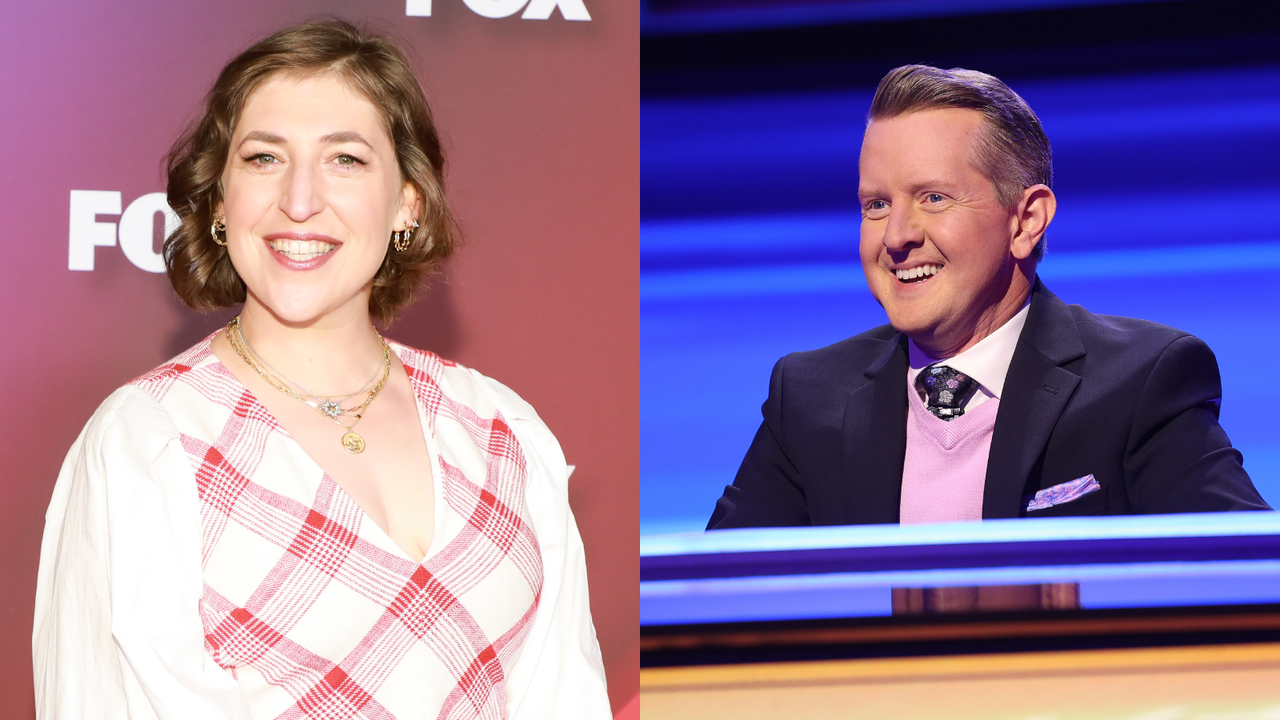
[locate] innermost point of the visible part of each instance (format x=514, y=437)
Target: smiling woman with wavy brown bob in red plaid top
x=223, y=540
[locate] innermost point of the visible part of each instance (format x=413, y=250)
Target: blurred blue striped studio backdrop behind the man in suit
x=1165, y=125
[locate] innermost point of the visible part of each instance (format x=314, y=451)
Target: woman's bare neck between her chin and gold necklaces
x=331, y=356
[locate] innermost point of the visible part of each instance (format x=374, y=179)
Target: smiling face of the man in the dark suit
x=935, y=240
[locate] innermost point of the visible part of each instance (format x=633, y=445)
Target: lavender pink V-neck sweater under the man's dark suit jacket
x=945, y=471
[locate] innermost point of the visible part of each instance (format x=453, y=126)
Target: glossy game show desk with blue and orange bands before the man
x=1154, y=618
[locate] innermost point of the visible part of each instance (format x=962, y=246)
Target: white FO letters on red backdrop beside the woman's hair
x=136, y=229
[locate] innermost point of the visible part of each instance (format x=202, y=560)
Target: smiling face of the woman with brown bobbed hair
x=312, y=195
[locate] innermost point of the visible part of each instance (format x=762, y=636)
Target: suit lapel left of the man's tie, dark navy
x=875, y=434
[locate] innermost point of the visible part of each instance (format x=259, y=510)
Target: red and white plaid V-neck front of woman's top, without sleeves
x=313, y=609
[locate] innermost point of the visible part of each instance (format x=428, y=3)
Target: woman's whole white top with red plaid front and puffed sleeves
x=196, y=563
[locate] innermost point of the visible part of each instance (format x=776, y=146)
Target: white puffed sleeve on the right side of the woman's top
x=560, y=673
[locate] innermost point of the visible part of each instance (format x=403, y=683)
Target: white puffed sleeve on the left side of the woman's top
x=117, y=630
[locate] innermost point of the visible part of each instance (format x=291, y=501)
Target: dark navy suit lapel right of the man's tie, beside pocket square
x=1037, y=390
